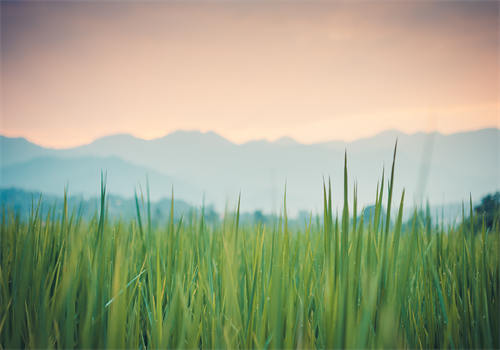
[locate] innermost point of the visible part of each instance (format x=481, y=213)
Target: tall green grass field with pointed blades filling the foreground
x=337, y=282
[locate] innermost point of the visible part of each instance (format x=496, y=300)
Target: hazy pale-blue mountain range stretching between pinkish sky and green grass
x=430, y=166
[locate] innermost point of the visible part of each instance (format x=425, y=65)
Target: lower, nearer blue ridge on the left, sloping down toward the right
x=82, y=175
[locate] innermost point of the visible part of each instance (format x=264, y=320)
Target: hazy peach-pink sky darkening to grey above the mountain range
x=71, y=72
